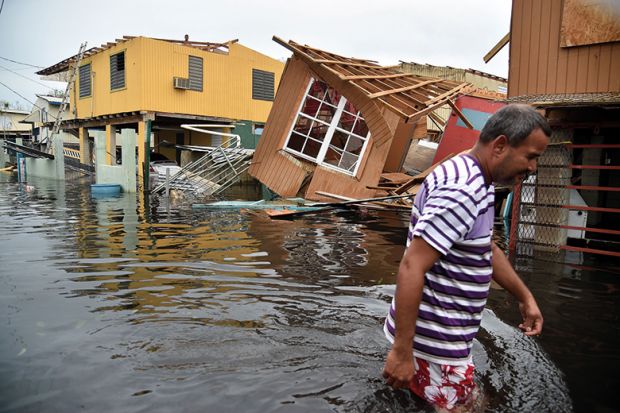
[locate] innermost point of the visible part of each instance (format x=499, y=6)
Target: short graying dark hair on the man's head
x=516, y=122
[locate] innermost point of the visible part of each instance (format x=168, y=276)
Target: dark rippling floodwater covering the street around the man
x=111, y=305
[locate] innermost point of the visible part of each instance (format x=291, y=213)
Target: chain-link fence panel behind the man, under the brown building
x=543, y=196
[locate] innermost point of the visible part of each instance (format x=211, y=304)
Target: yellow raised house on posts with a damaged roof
x=157, y=84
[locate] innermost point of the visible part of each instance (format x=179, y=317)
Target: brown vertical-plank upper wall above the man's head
x=538, y=65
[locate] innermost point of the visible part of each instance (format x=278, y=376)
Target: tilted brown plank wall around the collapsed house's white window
x=285, y=175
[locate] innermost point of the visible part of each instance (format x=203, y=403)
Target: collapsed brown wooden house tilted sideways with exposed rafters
x=337, y=123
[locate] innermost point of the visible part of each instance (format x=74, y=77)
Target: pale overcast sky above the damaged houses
x=454, y=33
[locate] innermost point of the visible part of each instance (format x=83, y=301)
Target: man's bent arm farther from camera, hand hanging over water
x=505, y=276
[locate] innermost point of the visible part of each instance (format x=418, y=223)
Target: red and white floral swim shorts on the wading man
x=443, y=385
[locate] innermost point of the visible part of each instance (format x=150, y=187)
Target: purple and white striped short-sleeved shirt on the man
x=453, y=212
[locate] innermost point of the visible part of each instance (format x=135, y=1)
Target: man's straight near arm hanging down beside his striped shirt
x=418, y=259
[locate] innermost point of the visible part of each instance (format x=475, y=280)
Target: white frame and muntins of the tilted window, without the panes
x=332, y=128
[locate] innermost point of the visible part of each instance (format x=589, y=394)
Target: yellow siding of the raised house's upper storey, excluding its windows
x=150, y=66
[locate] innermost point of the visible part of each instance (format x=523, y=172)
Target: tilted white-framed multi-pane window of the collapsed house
x=328, y=130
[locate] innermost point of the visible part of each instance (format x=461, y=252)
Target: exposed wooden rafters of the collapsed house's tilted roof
x=408, y=95
